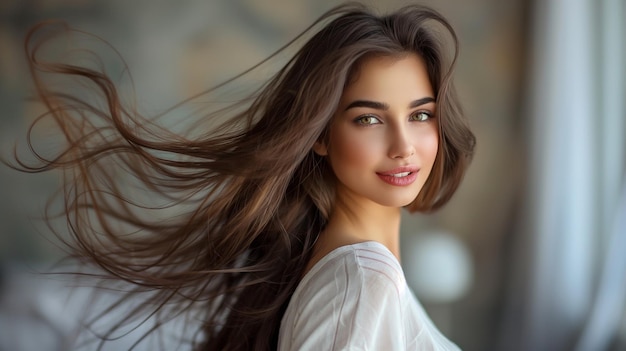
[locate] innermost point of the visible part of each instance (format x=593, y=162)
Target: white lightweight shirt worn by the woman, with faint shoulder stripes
x=356, y=298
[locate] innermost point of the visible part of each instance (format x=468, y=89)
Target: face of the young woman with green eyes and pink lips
x=383, y=140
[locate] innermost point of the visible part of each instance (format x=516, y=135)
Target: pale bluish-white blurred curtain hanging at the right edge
x=570, y=281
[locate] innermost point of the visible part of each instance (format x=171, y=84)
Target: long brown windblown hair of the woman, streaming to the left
x=256, y=196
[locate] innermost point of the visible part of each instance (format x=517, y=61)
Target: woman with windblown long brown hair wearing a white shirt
x=290, y=235
